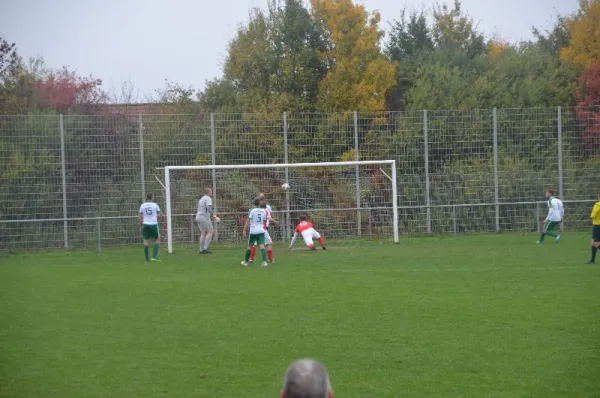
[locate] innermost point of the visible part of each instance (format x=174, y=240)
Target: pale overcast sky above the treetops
x=185, y=41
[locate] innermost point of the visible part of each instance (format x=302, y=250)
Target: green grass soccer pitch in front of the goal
x=483, y=315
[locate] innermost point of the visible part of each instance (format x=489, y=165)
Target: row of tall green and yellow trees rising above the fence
x=328, y=58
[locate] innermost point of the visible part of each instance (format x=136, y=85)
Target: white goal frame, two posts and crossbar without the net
x=168, y=169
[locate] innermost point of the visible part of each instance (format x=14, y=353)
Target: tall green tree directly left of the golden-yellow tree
x=273, y=63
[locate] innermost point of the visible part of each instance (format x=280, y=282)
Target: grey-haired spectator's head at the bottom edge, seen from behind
x=306, y=378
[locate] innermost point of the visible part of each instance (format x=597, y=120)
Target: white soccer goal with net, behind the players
x=345, y=200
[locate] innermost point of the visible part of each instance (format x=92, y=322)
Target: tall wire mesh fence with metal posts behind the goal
x=77, y=181
